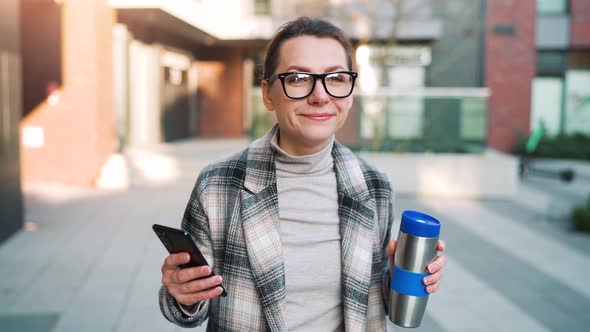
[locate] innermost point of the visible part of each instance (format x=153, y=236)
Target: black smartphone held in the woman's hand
x=176, y=241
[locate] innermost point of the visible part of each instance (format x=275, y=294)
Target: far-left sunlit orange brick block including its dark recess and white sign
x=67, y=132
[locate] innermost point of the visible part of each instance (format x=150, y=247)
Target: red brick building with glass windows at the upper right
x=537, y=65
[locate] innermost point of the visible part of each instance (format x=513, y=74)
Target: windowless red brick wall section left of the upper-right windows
x=510, y=67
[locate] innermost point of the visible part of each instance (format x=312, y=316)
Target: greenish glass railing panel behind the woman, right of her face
x=411, y=123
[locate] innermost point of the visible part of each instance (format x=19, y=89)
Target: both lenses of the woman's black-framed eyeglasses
x=299, y=85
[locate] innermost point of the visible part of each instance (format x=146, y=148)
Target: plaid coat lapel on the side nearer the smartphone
x=261, y=224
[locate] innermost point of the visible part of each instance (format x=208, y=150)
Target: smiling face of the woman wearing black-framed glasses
x=307, y=124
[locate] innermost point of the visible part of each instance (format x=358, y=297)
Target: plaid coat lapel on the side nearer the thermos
x=356, y=209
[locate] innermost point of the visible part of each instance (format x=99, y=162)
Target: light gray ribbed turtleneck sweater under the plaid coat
x=310, y=232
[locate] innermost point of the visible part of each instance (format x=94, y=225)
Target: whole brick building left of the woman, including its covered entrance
x=88, y=67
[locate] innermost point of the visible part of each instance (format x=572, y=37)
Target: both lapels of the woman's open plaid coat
x=261, y=224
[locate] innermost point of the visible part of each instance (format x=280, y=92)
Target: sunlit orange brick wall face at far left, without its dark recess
x=79, y=128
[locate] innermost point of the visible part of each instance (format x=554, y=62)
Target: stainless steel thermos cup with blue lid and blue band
x=416, y=247
